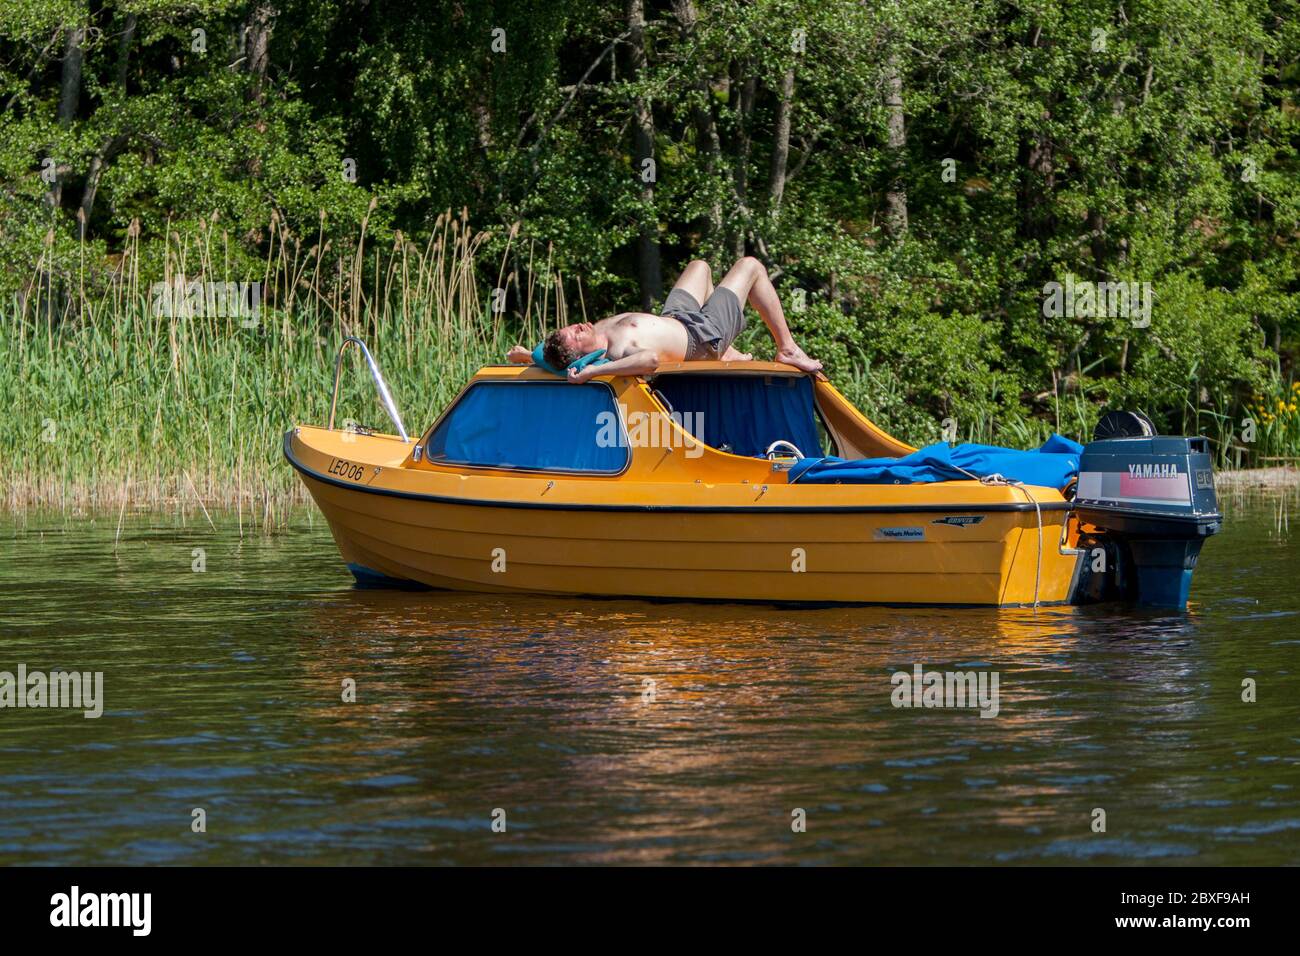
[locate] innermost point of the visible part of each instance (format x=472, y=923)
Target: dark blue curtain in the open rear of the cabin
x=744, y=413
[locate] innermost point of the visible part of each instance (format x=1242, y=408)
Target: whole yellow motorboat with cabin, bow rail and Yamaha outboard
x=678, y=486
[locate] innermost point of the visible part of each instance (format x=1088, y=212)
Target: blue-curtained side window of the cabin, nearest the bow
x=532, y=427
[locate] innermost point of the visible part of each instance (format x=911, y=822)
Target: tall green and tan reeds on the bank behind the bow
x=112, y=406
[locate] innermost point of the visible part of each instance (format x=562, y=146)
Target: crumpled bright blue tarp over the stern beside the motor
x=1051, y=466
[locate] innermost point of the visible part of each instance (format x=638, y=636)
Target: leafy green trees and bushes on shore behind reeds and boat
x=915, y=172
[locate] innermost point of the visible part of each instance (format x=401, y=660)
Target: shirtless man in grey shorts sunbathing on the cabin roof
x=636, y=343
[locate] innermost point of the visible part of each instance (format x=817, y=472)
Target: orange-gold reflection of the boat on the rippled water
x=726, y=674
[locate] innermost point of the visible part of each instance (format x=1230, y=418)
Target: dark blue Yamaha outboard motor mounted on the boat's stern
x=1151, y=500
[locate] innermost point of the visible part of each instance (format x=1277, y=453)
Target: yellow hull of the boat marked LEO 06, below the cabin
x=941, y=555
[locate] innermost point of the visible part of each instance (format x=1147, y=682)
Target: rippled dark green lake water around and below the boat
x=223, y=691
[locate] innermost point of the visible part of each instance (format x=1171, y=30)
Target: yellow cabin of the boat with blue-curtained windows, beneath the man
x=713, y=414
